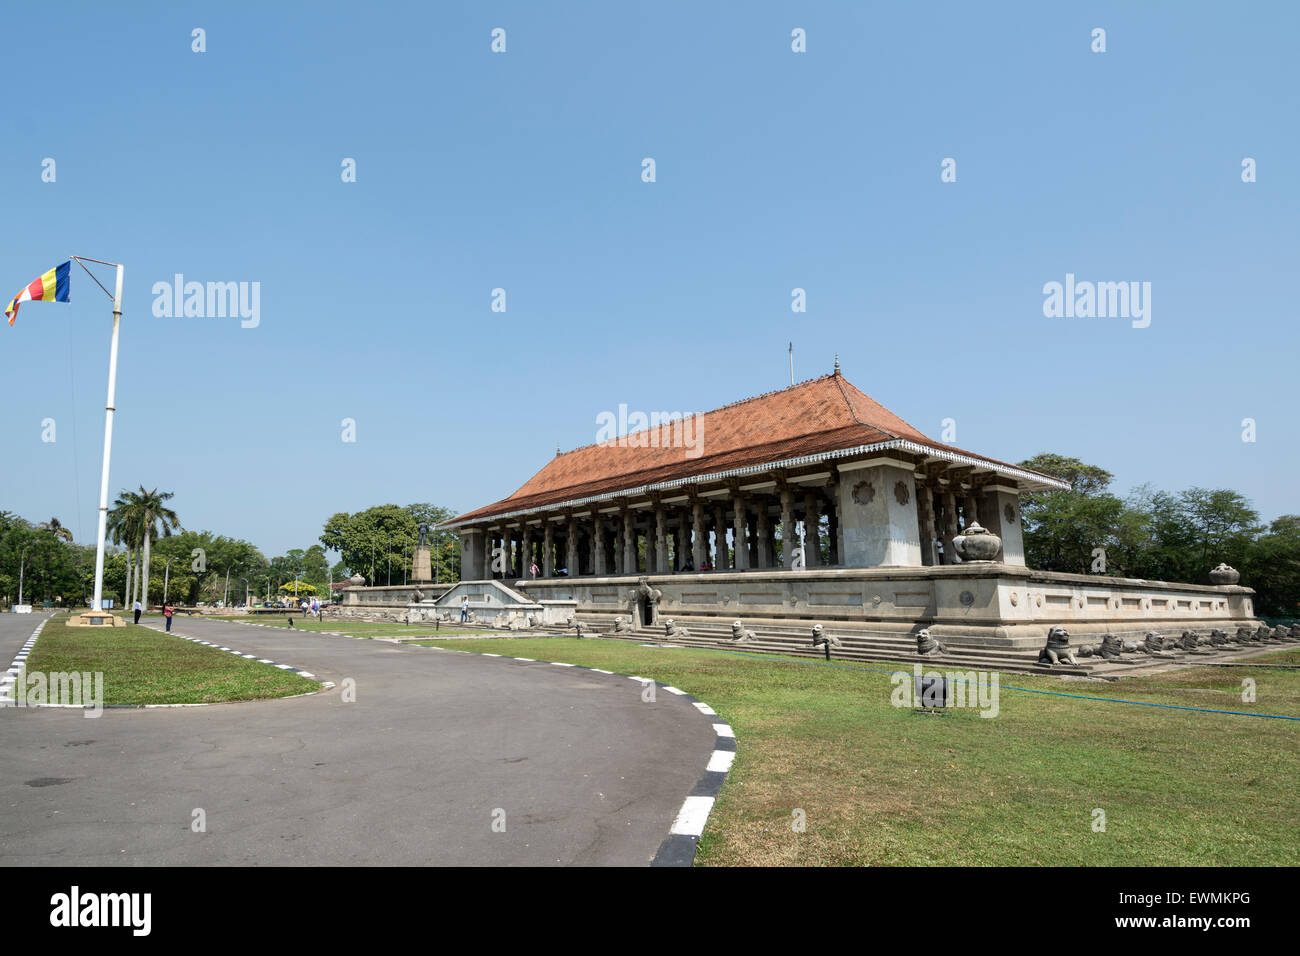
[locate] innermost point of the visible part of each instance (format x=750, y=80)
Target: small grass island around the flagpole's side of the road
x=144, y=667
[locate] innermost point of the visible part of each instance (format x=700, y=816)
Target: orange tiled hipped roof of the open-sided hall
x=814, y=417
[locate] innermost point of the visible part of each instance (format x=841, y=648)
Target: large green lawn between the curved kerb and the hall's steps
x=891, y=786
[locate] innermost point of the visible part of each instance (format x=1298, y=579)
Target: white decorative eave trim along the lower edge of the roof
x=1033, y=482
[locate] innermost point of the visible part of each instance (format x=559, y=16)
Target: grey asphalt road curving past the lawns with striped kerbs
x=413, y=773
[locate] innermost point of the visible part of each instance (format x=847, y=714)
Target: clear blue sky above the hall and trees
x=523, y=171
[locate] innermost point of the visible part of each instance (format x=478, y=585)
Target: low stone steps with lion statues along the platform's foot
x=861, y=643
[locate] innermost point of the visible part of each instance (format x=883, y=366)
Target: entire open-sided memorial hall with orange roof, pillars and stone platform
x=812, y=505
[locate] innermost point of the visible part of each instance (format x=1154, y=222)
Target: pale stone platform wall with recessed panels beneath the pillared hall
x=976, y=604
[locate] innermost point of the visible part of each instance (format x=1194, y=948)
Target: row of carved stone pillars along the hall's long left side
x=665, y=539
